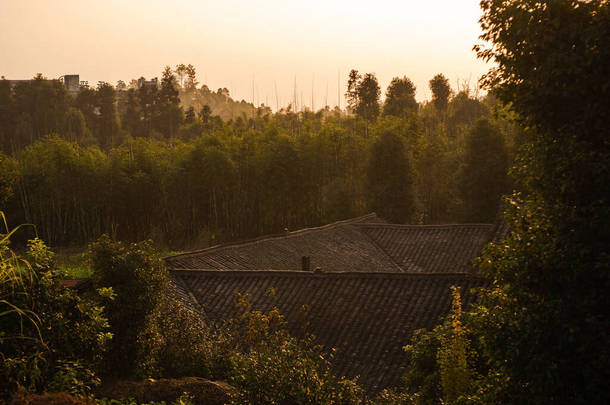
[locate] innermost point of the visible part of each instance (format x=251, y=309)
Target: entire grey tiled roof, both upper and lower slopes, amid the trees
x=380, y=283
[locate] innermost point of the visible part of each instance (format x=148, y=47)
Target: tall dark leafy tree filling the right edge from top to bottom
x=546, y=324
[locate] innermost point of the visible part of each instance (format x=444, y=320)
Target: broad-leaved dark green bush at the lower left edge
x=50, y=338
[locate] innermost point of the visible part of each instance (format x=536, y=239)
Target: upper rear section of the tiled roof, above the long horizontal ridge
x=361, y=244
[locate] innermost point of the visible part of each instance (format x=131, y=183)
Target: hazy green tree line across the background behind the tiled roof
x=136, y=163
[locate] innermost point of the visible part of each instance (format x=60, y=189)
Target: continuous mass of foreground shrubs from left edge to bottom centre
x=128, y=325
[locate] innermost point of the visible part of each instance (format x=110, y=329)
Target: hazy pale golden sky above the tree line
x=235, y=43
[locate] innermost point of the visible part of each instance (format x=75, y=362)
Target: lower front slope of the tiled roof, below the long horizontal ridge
x=367, y=317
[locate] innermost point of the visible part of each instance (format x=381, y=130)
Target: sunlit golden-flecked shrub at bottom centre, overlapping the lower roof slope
x=273, y=367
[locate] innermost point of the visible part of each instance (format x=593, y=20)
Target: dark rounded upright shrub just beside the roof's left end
x=139, y=278
